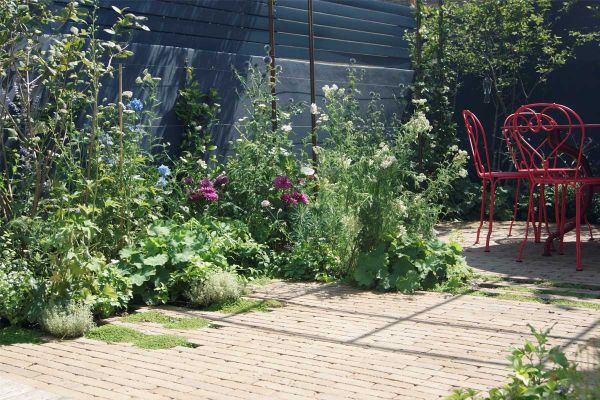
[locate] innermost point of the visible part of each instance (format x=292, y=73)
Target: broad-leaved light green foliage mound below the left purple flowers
x=170, y=257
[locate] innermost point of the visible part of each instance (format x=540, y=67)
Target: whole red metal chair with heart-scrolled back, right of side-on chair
x=542, y=131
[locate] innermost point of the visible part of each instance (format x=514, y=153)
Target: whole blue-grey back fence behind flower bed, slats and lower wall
x=212, y=36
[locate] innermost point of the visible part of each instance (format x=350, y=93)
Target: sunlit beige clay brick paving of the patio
x=328, y=342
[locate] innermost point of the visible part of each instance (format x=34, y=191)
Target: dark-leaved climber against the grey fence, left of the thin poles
x=198, y=111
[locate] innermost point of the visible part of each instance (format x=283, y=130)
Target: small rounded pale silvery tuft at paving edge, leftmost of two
x=70, y=321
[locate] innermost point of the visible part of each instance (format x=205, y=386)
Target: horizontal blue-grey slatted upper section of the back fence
x=370, y=32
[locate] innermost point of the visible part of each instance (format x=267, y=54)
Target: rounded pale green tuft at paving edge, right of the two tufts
x=217, y=287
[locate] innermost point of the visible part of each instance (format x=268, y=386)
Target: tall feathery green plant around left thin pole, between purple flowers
x=261, y=154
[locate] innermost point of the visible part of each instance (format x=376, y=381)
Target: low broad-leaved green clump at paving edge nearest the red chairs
x=408, y=264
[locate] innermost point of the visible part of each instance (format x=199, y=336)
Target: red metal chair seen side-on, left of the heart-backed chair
x=483, y=167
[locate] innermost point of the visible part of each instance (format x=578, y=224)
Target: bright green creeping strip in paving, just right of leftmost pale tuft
x=121, y=334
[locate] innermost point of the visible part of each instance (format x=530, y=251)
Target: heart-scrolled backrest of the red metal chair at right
x=541, y=132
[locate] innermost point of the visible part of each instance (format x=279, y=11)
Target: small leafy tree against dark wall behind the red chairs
x=512, y=44
